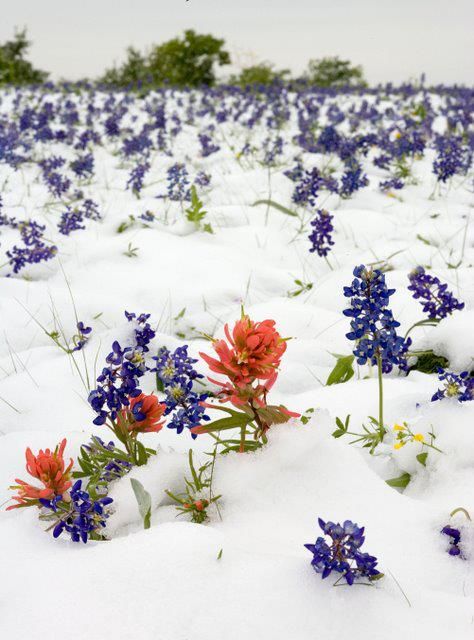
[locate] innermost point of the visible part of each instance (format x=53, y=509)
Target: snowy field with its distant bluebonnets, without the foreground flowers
x=244, y=573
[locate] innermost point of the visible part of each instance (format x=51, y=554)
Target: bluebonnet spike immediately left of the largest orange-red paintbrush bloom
x=176, y=375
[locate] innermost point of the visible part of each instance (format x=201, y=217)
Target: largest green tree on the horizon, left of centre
x=181, y=62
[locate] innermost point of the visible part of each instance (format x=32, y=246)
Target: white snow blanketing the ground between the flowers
x=168, y=583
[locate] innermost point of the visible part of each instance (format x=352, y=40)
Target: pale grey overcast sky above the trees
x=392, y=39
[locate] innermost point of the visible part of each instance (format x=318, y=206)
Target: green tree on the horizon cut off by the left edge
x=14, y=69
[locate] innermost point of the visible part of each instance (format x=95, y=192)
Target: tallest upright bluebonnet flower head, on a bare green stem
x=373, y=326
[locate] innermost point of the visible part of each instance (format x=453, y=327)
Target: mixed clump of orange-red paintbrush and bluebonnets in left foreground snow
x=249, y=360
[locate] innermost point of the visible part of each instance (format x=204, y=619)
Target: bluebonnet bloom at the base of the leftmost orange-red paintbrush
x=81, y=516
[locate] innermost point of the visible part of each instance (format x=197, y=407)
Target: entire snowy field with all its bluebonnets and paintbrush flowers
x=236, y=358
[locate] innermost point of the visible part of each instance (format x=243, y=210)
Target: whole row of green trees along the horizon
x=187, y=61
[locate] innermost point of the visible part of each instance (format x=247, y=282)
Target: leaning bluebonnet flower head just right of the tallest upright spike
x=435, y=298
